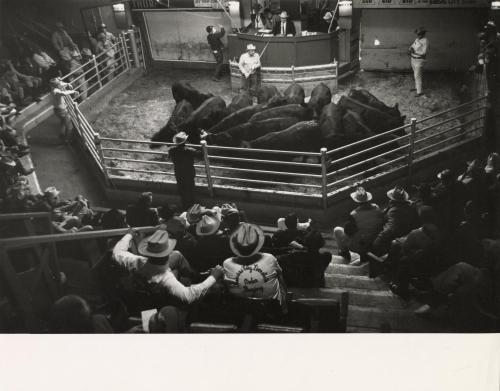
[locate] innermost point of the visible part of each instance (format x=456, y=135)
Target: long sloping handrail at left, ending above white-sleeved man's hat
x=65, y=237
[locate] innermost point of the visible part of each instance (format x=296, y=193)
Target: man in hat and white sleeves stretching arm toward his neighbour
x=159, y=263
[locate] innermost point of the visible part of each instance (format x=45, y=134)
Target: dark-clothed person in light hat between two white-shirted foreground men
x=213, y=246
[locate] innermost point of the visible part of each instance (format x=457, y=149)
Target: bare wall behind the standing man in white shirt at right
x=452, y=35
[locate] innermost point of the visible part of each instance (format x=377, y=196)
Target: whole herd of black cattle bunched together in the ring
x=279, y=121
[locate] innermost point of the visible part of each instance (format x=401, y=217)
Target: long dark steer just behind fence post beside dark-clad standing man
x=250, y=131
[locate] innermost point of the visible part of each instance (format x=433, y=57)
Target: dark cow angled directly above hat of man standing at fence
x=204, y=117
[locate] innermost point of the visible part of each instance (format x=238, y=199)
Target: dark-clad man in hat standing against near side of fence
x=183, y=159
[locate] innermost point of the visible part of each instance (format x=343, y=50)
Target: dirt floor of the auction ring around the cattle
x=145, y=107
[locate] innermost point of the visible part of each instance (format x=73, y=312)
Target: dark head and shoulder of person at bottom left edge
x=72, y=314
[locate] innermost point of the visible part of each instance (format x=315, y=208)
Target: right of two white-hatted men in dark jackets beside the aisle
x=400, y=217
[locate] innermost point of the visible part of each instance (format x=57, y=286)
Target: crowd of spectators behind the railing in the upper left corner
x=26, y=66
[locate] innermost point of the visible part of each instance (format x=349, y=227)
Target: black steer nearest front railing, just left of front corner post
x=304, y=136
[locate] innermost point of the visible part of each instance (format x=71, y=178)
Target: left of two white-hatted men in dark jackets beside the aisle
x=364, y=223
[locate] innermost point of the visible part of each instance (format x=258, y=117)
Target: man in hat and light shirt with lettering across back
x=251, y=273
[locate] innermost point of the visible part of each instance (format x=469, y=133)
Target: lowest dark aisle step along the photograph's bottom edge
x=397, y=320
